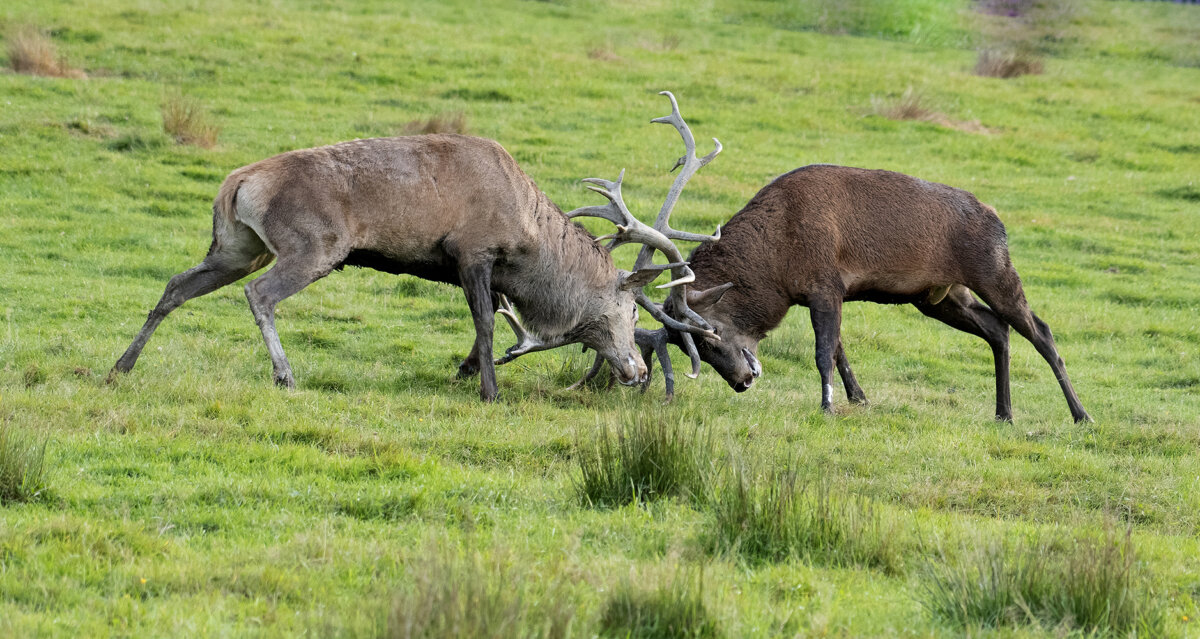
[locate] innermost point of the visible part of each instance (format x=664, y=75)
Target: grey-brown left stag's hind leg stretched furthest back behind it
x=236, y=253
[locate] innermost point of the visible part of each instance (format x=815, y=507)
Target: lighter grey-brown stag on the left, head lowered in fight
x=447, y=208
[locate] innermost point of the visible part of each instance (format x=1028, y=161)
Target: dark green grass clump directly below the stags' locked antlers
x=649, y=456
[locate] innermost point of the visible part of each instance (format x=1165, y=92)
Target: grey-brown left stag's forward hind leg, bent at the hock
x=287, y=278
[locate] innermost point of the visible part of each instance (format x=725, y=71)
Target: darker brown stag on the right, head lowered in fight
x=825, y=235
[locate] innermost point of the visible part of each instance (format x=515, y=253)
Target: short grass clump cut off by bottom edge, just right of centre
x=671, y=612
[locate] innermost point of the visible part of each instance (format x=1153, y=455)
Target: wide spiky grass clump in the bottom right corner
x=1091, y=584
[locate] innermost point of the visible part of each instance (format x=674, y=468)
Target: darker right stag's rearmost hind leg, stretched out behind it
x=1006, y=297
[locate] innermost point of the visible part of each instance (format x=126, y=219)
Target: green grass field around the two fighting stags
x=193, y=498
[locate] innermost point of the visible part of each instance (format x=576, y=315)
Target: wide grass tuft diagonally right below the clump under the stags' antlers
x=775, y=516
